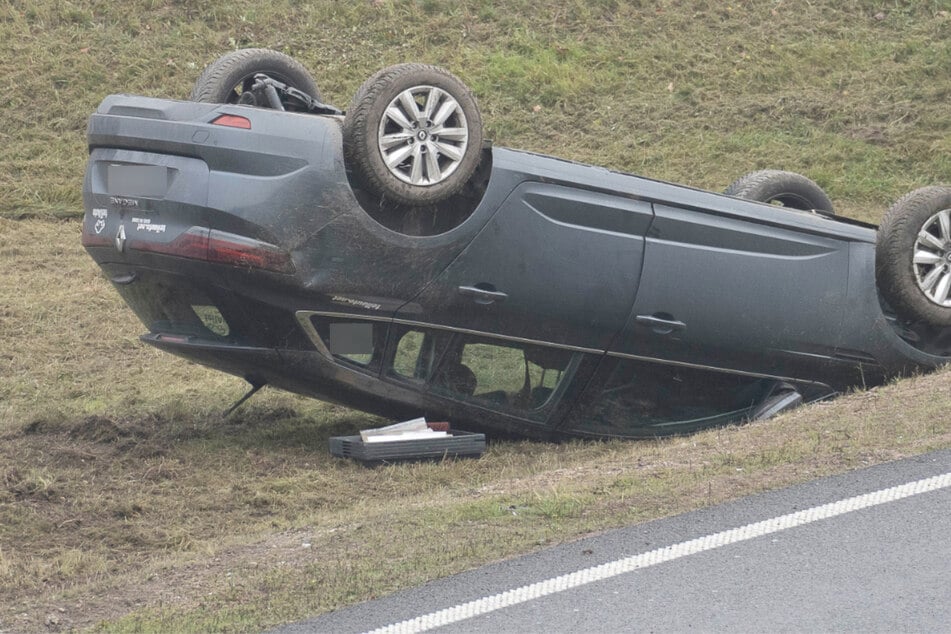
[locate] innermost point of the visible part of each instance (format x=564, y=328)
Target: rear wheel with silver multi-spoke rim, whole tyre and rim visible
x=413, y=134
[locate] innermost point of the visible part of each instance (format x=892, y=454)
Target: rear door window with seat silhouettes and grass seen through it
x=505, y=375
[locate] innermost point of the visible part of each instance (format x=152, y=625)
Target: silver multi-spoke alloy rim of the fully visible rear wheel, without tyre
x=423, y=136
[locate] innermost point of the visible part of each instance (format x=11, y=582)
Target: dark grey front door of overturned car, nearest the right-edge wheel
x=738, y=293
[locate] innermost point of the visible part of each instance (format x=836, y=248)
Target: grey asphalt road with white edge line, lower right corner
x=865, y=551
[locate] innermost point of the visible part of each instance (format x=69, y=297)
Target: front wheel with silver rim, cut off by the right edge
x=913, y=256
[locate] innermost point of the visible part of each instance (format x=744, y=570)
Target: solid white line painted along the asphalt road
x=660, y=555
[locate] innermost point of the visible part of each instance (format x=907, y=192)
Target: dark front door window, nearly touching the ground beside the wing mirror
x=646, y=398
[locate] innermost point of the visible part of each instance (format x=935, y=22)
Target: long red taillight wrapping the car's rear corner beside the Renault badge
x=211, y=245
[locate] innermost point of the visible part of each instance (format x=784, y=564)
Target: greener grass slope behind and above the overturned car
x=854, y=94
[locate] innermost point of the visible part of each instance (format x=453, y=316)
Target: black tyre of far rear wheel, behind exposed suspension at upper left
x=231, y=75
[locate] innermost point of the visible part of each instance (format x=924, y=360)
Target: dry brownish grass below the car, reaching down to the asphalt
x=127, y=502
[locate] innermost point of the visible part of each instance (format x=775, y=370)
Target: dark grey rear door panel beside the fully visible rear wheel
x=555, y=264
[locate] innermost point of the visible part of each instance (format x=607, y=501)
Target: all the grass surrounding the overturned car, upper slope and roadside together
x=128, y=503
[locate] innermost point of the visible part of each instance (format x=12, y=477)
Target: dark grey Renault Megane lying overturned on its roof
x=391, y=260
